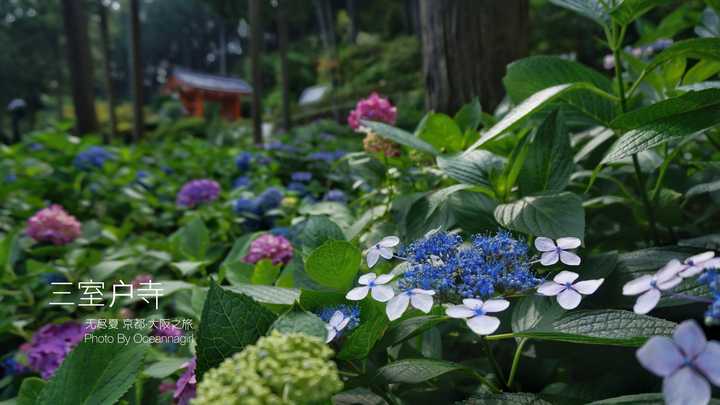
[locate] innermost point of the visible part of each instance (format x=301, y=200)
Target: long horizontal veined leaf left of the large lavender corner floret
x=602, y=327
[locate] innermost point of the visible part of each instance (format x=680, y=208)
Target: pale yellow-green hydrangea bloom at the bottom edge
x=279, y=369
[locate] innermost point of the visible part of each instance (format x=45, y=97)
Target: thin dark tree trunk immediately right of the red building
x=256, y=38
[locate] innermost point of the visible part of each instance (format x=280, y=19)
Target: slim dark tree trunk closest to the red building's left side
x=137, y=72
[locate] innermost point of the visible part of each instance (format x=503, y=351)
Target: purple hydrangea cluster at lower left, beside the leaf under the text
x=50, y=344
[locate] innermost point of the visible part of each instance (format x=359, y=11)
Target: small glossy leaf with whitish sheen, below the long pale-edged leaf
x=477, y=167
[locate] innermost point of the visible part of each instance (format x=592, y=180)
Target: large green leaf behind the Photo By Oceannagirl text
x=96, y=372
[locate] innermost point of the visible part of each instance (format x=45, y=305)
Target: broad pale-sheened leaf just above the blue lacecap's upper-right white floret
x=553, y=216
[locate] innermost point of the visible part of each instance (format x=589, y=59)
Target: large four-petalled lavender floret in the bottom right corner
x=686, y=363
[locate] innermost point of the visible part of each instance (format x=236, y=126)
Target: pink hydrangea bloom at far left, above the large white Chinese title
x=54, y=225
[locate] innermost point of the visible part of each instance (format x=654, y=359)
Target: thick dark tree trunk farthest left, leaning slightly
x=80, y=62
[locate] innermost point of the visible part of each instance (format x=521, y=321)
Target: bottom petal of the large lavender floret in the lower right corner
x=685, y=387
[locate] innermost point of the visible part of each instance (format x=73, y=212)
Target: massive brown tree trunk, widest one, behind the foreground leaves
x=466, y=47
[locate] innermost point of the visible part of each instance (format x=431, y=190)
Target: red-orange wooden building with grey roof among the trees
x=196, y=88
